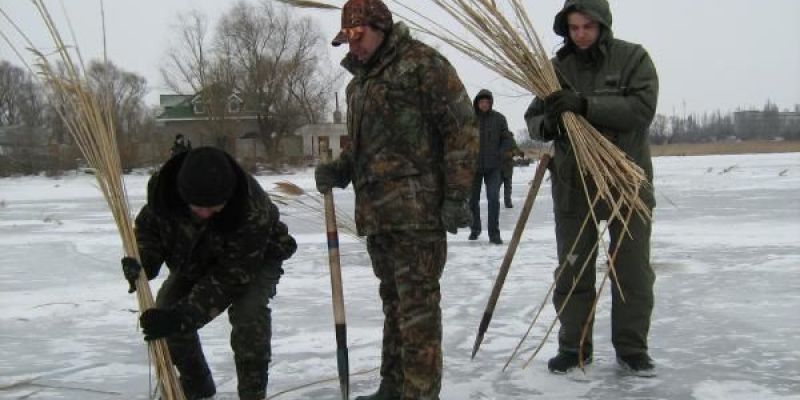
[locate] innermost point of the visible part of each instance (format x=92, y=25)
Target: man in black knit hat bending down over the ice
x=223, y=242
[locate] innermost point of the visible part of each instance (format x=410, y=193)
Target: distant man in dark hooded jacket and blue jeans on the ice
x=495, y=140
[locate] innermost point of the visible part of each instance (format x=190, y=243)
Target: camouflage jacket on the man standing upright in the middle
x=413, y=136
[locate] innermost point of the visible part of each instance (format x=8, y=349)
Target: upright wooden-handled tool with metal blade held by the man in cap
x=337, y=293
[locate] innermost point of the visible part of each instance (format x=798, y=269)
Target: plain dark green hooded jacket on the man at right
x=620, y=83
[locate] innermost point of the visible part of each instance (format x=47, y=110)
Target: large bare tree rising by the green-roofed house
x=264, y=54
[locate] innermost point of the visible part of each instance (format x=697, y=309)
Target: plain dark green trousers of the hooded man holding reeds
x=630, y=319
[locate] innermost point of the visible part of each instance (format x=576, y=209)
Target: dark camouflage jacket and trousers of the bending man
x=231, y=261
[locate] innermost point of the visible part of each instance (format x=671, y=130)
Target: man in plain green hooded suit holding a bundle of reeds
x=614, y=85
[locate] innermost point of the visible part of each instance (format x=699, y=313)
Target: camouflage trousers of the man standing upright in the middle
x=409, y=266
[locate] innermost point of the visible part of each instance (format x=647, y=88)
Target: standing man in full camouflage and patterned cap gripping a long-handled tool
x=411, y=161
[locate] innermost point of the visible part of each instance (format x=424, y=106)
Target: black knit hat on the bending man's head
x=206, y=178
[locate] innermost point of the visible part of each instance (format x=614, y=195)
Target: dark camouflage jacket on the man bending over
x=219, y=257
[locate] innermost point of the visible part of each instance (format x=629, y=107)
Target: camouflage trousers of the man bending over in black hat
x=251, y=333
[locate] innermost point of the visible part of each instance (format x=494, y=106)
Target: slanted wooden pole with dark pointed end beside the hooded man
x=512, y=249
